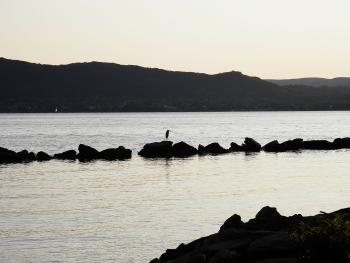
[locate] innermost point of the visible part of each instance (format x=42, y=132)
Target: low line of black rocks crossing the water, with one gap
x=167, y=149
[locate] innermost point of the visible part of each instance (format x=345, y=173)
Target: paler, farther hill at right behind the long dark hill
x=313, y=82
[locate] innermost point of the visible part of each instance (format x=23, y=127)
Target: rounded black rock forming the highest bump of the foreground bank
x=267, y=218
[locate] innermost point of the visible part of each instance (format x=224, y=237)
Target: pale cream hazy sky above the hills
x=265, y=38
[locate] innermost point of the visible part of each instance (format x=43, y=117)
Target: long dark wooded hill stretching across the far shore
x=107, y=87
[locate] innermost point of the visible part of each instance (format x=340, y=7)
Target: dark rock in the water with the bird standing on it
x=157, y=149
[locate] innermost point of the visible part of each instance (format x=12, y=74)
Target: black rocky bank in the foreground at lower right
x=270, y=238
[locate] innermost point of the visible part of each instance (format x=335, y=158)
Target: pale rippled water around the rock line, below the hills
x=131, y=211
